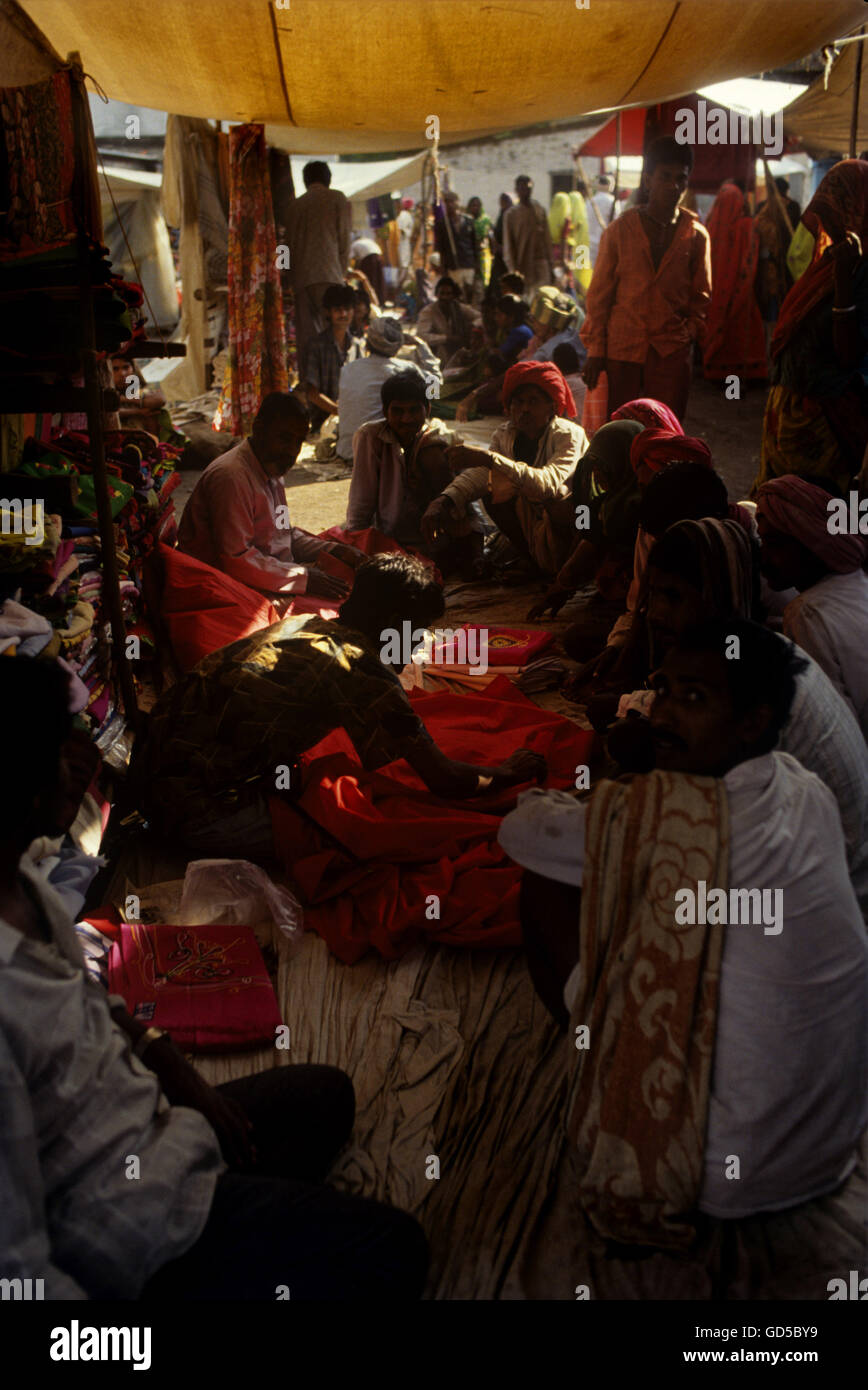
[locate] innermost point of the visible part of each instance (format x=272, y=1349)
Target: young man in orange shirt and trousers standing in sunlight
x=650, y=291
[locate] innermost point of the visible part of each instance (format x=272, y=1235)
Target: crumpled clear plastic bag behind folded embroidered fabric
x=239, y=893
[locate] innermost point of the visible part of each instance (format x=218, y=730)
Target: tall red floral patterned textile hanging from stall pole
x=258, y=344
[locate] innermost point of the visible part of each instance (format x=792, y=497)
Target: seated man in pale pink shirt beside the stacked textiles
x=237, y=519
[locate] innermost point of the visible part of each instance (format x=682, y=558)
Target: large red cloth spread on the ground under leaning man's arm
x=382, y=862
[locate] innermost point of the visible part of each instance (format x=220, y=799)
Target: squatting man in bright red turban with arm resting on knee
x=525, y=476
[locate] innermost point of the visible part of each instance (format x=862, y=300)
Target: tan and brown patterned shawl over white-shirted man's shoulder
x=649, y=993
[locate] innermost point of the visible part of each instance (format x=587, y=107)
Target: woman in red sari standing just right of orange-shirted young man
x=734, y=337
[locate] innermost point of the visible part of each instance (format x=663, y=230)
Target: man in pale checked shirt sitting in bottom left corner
x=229, y=1202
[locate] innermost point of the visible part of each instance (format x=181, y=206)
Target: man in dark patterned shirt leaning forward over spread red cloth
x=227, y=736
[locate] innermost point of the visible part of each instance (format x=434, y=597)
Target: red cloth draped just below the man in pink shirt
x=205, y=610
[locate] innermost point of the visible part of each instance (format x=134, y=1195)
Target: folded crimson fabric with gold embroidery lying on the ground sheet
x=208, y=986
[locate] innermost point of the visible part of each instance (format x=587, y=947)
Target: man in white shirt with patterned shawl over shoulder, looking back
x=746, y=1008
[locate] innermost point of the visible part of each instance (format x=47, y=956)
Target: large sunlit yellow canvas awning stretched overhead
x=368, y=79
